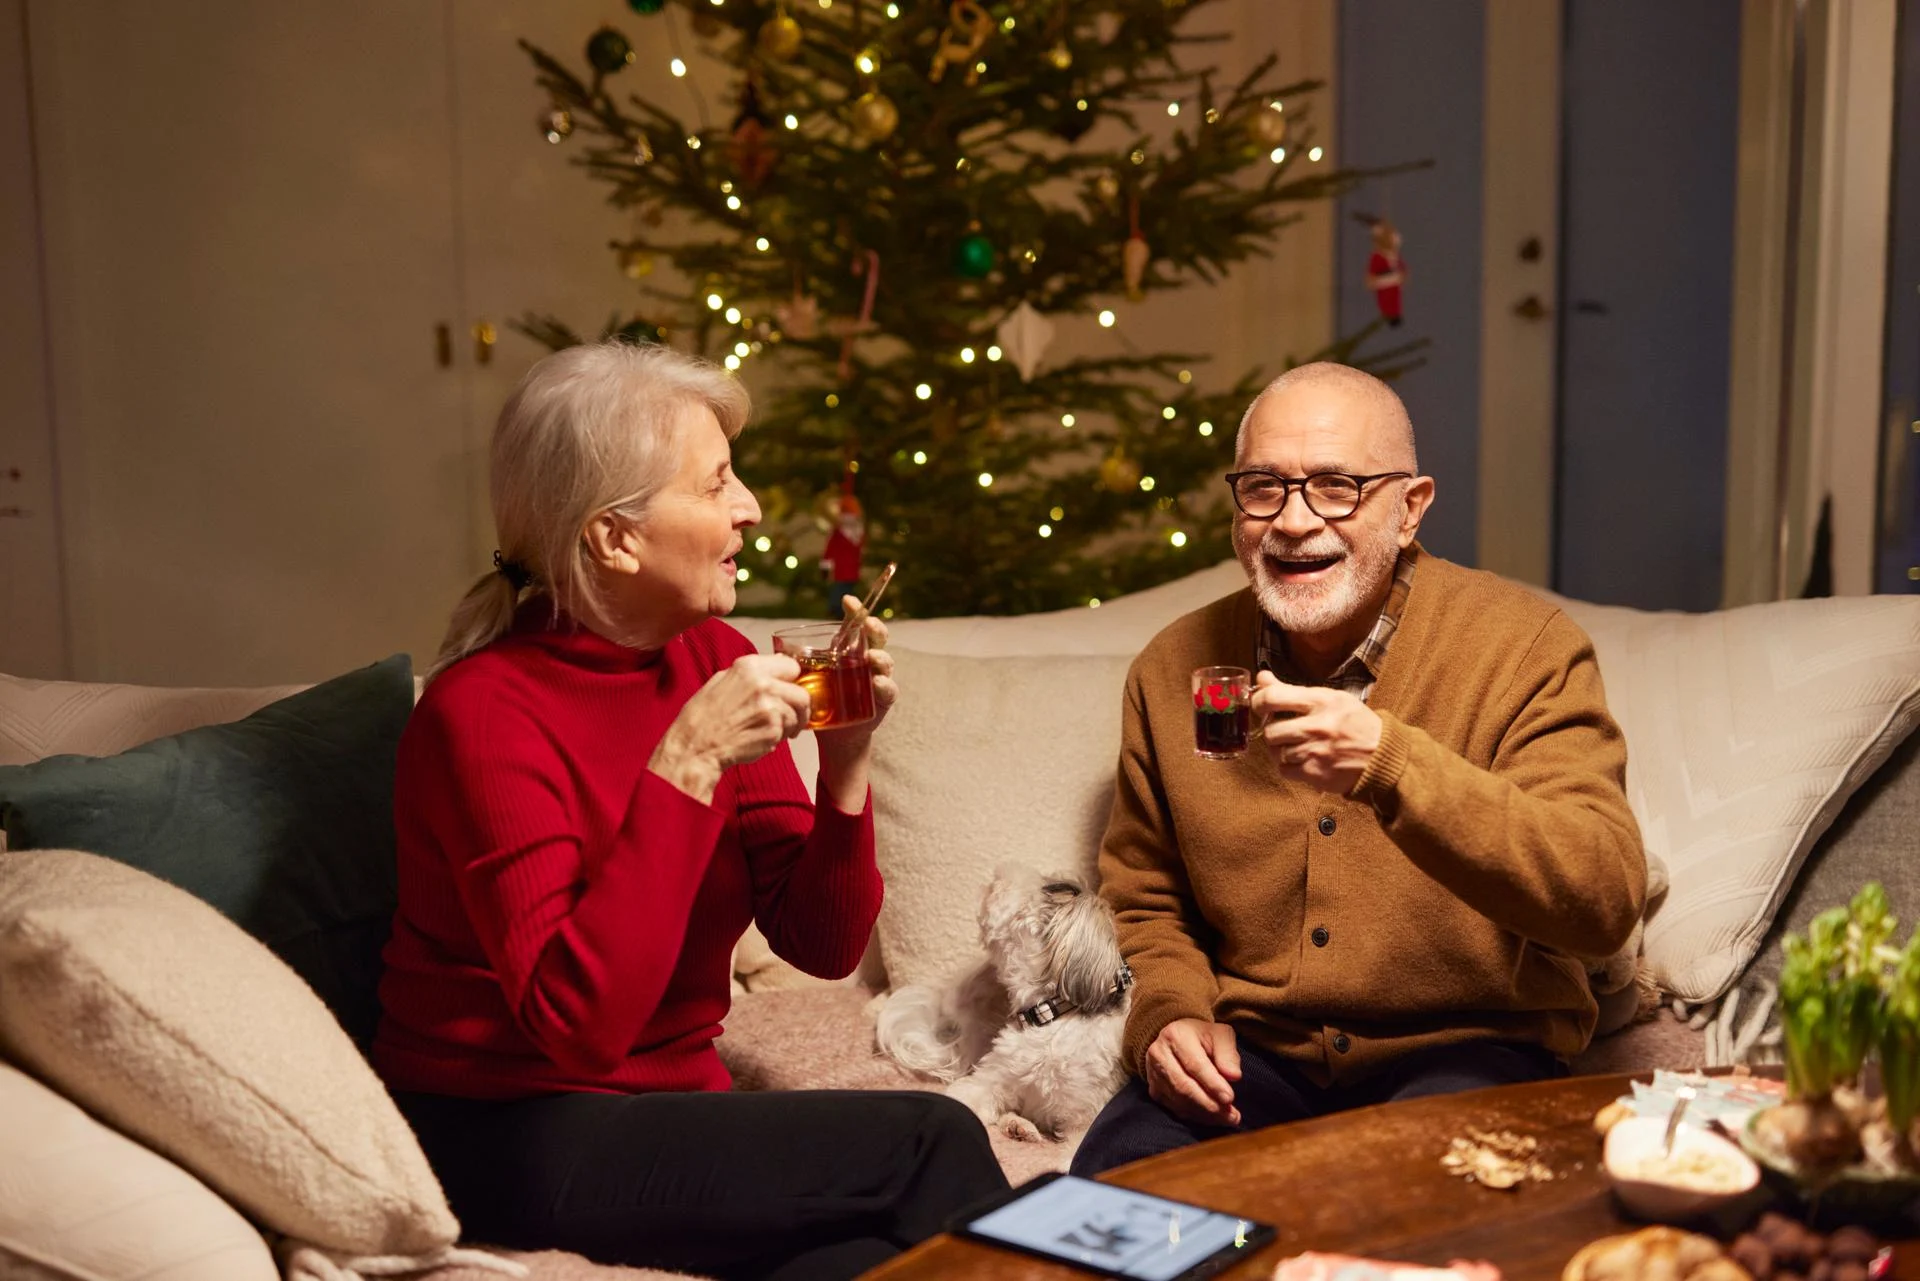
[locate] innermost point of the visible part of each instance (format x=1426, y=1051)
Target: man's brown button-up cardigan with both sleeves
x=1452, y=896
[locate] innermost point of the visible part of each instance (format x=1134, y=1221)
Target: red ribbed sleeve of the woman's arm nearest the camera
x=560, y=917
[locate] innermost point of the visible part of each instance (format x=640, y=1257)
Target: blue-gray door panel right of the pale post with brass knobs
x=1650, y=122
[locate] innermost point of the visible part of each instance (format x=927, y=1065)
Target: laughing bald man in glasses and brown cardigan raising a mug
x=1399, y=892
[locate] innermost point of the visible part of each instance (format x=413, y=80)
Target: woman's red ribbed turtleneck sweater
x=567, y=919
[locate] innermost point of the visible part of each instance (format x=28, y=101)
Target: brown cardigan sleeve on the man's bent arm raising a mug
x=1543, y=842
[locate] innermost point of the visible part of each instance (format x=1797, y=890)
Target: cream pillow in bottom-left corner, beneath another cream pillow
x=80, y=1199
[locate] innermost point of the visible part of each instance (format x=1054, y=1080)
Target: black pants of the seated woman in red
x=807, y=1184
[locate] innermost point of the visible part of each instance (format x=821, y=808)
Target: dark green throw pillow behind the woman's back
x=283, y=821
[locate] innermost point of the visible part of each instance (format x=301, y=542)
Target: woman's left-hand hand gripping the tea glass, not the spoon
x=738, y=715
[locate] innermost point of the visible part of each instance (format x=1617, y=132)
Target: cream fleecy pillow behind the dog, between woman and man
x=986, y=761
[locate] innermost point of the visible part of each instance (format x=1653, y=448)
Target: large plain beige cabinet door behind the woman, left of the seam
x=249, y=245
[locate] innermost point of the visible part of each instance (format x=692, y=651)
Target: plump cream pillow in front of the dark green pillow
x=158, y=1015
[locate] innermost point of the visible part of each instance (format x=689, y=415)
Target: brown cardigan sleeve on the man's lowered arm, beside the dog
x=1145, y=882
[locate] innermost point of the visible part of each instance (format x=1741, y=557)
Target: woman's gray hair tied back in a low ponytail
x=588, y=431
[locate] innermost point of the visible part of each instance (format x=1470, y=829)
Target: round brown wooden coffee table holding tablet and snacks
x=1370, y=1182
